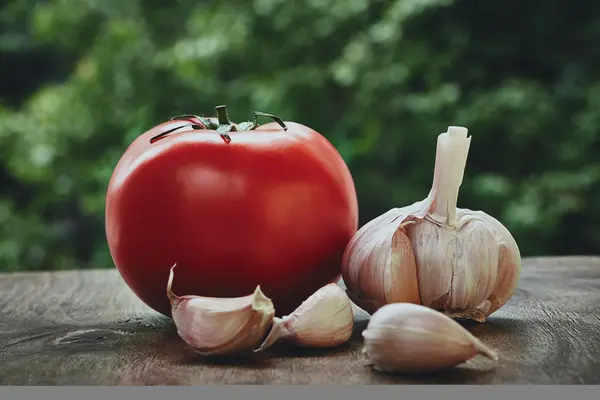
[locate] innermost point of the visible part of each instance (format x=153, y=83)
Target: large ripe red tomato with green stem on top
x=234, y=206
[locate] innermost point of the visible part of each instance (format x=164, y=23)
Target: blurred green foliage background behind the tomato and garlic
x=380, y=79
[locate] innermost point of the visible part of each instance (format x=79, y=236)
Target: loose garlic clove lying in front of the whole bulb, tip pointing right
x=410, y=338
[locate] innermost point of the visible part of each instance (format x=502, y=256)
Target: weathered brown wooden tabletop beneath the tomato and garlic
x=87, y=328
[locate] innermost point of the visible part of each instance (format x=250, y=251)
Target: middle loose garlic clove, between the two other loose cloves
x=325, y=319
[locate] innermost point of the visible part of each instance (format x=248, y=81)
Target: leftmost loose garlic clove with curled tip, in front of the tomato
x=221, y=326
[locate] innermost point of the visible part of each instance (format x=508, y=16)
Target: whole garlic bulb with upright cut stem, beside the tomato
x=462, y=262
